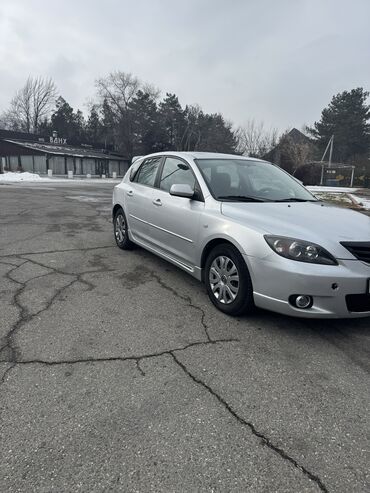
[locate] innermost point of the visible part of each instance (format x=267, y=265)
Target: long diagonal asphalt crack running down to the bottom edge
x=265, y=440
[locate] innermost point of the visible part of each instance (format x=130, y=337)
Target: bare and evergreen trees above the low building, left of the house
x=127, y=116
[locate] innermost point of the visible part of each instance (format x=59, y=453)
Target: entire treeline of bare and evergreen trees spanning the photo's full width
x=130, y=117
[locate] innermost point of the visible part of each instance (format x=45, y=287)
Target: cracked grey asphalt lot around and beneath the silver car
x=117, y=373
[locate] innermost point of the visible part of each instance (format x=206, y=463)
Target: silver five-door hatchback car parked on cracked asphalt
x=249, y=230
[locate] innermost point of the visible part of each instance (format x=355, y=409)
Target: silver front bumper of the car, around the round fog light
x=275, y=279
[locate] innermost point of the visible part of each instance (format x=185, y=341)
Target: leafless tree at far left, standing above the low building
x=30, y=105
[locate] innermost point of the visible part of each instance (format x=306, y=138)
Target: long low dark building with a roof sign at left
x=37, y=154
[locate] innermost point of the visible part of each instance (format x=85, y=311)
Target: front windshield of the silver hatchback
x=243, y=180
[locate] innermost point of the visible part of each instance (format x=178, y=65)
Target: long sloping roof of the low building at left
x=64, y=149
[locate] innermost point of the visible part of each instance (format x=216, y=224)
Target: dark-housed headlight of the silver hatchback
x=303, y=251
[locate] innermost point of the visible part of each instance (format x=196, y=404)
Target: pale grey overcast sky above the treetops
x=278, y=62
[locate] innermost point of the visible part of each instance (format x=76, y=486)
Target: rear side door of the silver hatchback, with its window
x=138, y=198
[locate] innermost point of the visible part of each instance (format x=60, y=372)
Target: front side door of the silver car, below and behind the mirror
x=176, y=219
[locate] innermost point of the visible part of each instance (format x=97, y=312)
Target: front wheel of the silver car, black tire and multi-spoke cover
x=228, y=282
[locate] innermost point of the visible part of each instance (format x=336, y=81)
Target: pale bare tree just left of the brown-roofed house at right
x=254, y=140
